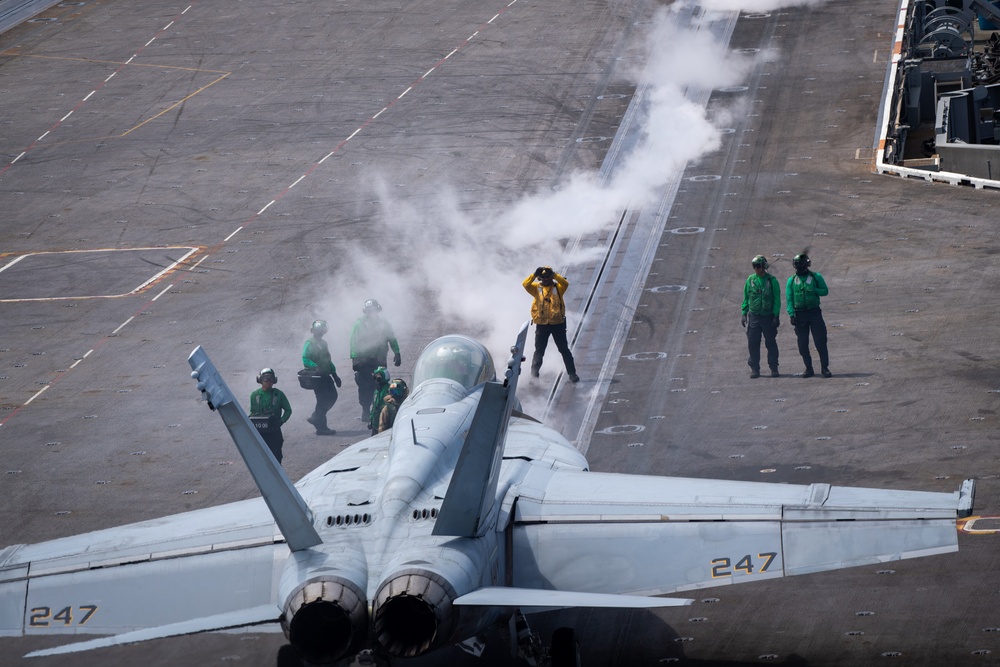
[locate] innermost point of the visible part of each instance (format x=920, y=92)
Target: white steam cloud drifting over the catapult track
x=470, y=267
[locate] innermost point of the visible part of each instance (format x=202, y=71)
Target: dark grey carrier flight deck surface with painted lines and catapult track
x=223, y=173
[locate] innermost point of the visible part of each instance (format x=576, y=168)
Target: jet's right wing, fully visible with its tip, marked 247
x=634, y=534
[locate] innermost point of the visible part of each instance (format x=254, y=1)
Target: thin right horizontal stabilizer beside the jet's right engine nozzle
x=535, y=597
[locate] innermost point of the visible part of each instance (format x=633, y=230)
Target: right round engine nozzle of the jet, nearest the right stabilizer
x=413, y=613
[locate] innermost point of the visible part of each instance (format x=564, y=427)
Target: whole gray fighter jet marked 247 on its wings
x=467, y=513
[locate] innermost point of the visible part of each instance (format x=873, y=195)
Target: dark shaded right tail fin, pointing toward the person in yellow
x=472, y=490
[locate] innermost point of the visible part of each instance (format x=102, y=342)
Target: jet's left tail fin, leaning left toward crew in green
x=288, y=508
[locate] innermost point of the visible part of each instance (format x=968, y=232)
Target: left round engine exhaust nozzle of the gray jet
x=325, y=618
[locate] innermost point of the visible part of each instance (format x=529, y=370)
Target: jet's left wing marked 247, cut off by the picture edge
x=214, y=564
